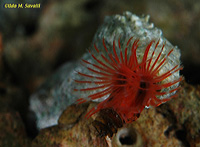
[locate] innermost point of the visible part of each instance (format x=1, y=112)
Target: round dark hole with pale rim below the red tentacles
x=127, y=136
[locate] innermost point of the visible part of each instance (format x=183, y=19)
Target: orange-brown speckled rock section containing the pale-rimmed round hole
x=148, y=130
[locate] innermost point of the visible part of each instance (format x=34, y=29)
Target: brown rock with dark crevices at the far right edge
x=183, y=113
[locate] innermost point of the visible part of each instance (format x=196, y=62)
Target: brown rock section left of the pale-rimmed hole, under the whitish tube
x=72, y=130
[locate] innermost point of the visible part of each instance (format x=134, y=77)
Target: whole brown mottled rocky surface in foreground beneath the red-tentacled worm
x=175, y=123
